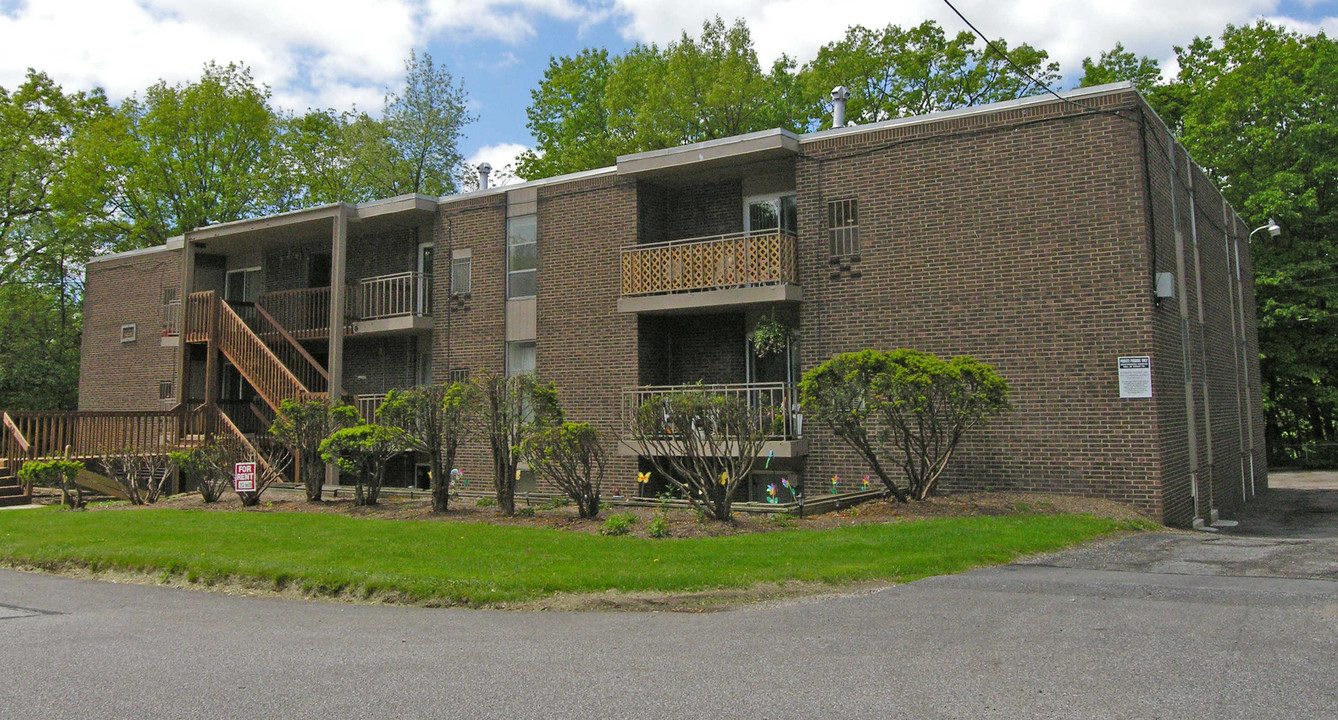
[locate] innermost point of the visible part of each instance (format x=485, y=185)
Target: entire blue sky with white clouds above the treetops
x=345, y=53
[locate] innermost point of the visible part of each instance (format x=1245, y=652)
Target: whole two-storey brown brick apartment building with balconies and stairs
x=1035, y=235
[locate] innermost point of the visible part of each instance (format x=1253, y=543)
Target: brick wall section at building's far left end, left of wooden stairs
x=124, y=377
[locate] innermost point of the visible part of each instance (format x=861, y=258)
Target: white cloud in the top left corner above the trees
x=311, y=53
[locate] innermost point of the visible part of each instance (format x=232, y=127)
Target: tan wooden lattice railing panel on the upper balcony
x=710, y=263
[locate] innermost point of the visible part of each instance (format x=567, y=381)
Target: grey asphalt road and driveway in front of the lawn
x=1159, y=626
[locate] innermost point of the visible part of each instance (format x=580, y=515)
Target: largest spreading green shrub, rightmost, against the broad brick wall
x=904, y=408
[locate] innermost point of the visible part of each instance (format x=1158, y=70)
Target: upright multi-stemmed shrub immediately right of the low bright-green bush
x=436, y=421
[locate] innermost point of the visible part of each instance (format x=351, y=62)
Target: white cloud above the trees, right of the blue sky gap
x=1068, y=31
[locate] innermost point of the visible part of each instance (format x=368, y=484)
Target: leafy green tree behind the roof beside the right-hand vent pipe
x=896, y=73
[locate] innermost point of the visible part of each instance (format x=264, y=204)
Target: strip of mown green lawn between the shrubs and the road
x=477, y=565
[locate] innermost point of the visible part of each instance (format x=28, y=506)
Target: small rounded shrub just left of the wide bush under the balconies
x=572, y=458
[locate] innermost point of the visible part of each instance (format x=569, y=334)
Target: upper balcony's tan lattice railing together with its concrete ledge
x=710, y=272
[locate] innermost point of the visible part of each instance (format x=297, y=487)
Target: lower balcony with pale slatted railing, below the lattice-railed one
x=779, y=416
